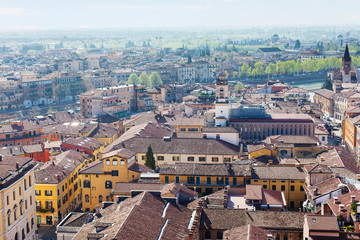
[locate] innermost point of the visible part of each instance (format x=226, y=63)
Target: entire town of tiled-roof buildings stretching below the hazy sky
x=215, y=138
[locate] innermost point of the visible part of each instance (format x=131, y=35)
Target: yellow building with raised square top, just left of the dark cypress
x=99, y=178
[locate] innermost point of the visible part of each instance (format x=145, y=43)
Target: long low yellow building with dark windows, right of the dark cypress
x=205, y=178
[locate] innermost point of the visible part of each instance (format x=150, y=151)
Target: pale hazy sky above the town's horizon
x=73, y=14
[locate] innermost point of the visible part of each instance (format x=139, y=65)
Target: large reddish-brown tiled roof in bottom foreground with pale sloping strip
x=129, y=218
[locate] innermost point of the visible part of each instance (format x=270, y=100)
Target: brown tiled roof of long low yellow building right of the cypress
x=200, y=169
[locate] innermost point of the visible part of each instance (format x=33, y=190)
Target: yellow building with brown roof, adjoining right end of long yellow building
x=290, y=180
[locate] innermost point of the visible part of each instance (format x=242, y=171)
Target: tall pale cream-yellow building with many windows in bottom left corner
x=17, y=199
